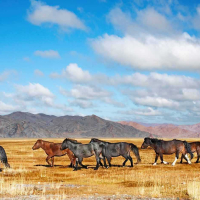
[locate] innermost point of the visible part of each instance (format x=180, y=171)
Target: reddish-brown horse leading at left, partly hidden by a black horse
x=53, y=149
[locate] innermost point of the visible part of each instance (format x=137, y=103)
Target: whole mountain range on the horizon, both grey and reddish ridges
x=27, y=125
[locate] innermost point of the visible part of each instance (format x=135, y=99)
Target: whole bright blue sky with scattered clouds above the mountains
x=131, y=60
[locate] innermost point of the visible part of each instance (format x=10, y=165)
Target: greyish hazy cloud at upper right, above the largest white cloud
x=147, y=21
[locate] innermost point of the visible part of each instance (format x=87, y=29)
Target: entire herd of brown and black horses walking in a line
x=104, y=151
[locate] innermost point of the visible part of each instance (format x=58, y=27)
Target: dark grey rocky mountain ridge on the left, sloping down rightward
x=22, y=124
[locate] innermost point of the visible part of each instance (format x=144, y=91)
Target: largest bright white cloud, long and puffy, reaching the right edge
x=148, y=53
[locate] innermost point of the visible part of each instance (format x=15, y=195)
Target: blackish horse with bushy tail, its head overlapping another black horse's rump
x=117, y=149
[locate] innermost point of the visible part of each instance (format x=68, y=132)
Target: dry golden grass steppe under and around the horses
x=31, y=177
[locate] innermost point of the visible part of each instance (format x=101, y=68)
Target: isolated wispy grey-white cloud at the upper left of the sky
x=40, y=13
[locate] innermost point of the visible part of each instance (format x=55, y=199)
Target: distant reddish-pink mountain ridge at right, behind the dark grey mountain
x=168, y=130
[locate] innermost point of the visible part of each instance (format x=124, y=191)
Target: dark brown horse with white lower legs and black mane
x=168, y=147
